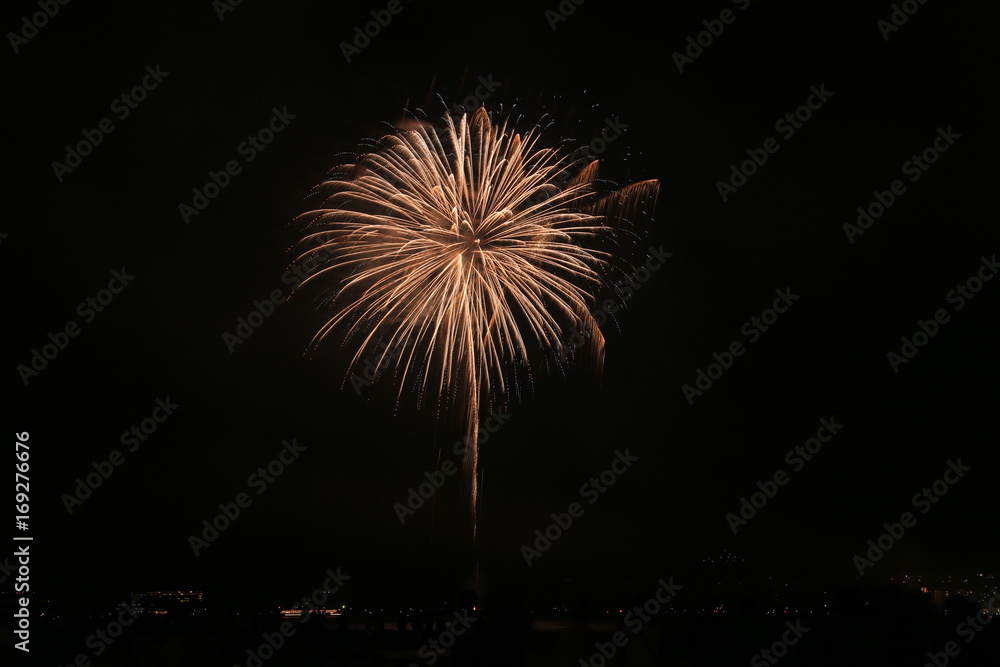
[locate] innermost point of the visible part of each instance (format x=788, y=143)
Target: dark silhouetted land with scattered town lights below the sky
x=888, y=626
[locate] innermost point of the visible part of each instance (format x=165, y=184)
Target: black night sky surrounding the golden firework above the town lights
x=825, y=358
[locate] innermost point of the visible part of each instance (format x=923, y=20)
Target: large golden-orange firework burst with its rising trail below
x=463, y=252
